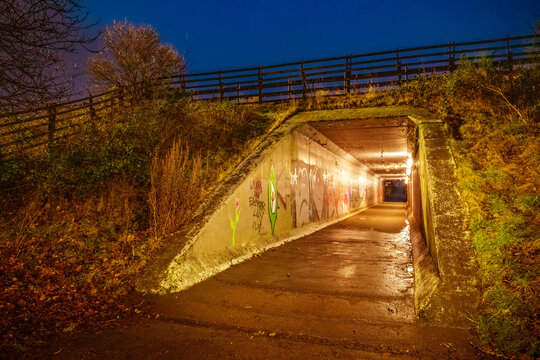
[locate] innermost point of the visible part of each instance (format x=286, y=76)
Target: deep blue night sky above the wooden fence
x=228, y=34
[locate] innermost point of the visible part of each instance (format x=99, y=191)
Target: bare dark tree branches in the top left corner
x=35, y=37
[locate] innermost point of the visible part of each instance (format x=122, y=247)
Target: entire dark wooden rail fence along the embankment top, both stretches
x=348, y=74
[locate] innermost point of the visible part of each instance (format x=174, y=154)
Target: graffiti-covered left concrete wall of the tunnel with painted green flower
x=297, y=187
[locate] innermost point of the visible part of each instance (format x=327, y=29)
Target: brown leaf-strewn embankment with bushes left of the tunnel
x=81, y=220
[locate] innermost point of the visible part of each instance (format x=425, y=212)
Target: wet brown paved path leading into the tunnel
x=346, y=291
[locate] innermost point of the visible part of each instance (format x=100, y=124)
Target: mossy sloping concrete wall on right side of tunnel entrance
x=445, y=269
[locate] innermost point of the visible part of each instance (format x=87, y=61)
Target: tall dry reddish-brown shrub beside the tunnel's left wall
x=175, y=191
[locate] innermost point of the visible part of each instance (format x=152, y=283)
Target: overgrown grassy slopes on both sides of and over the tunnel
x=77, y=224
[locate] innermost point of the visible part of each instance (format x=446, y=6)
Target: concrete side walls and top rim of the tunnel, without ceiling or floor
x=444, y=267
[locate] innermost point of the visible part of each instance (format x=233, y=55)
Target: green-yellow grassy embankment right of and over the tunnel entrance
x=493, y=116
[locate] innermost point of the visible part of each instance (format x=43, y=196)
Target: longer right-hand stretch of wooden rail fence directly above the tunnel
x=351, y=73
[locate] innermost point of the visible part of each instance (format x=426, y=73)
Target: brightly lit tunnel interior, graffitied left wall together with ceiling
x=316, y=174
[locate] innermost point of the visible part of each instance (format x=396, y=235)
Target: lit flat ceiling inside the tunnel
x=381, y=144
